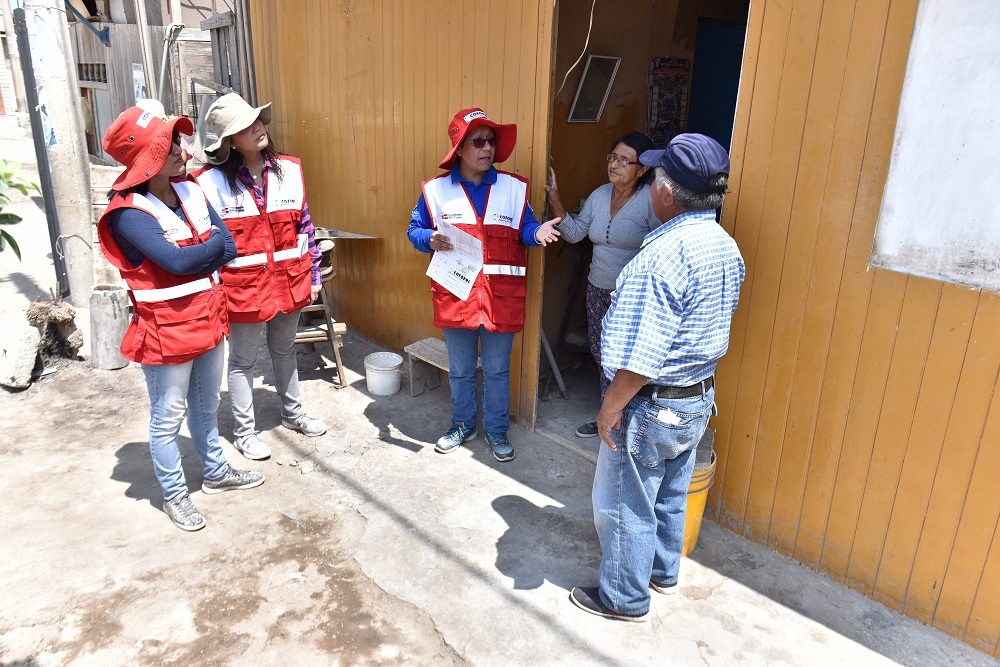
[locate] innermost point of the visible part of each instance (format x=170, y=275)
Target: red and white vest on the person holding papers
x=497, y=297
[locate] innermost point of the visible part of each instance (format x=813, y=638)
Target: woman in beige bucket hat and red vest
x=261, y=196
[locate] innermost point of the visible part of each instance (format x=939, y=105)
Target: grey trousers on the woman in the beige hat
x=244, y=343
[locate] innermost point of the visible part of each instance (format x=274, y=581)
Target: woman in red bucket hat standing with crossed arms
x=167, y=242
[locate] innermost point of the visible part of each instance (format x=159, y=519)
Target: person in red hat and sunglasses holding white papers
x=492, y=206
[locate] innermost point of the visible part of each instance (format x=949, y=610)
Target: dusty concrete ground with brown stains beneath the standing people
x=363, y=547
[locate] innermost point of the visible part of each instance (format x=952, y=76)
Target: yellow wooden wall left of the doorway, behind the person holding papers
x=363, y=91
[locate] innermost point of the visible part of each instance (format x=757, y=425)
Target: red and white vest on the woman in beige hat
x=273, y=271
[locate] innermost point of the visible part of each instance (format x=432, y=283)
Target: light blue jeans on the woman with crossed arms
x=174, y=389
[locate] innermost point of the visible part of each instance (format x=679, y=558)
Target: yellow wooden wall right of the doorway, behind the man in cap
x=859, y=429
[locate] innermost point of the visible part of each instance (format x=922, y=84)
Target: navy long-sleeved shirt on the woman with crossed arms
x=140, y=237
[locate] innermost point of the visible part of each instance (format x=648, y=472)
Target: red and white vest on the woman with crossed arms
x=175, y=318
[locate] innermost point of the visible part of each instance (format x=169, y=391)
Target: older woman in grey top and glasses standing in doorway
x=617, y=216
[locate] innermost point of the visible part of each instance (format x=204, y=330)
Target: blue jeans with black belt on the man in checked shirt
x=640, y=496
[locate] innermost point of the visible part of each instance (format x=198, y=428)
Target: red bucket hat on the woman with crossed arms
x=141, y=141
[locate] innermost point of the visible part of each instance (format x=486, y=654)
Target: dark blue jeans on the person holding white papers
x=463, y=353
